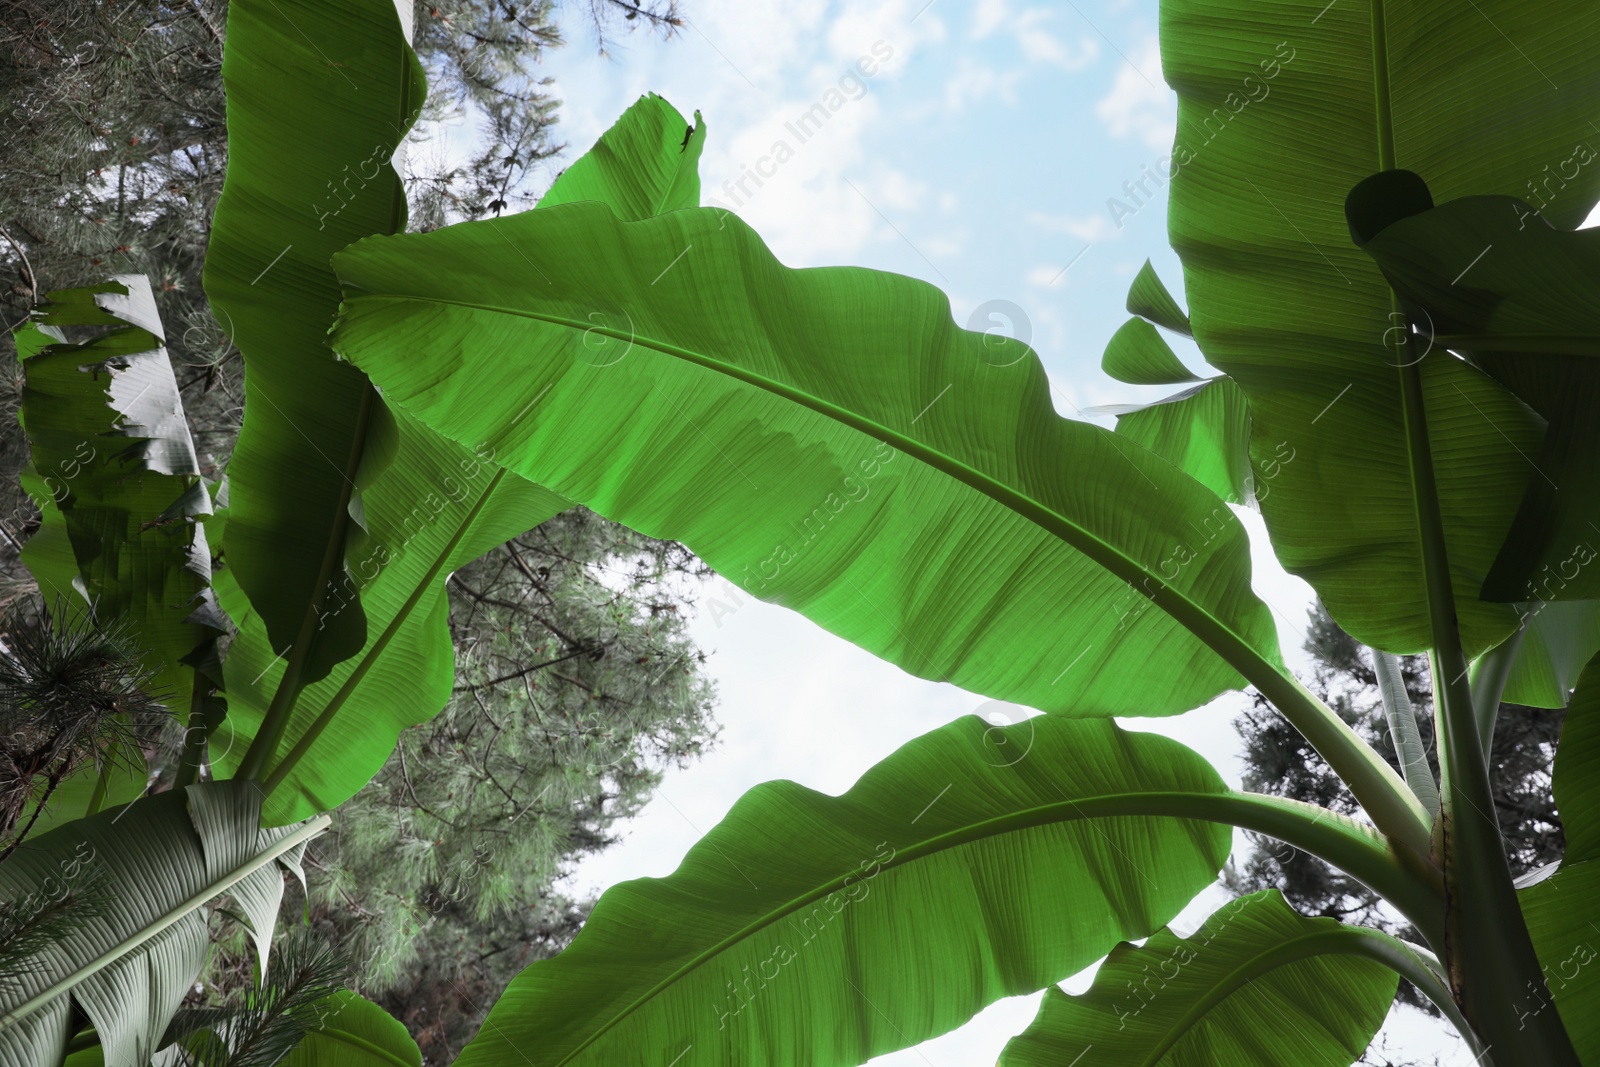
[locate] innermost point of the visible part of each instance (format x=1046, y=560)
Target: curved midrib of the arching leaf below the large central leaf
x=1185, y=805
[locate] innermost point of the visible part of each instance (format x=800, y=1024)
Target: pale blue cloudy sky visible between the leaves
x=977, y=146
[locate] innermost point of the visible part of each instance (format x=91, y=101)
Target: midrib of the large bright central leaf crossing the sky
x=1201, y=623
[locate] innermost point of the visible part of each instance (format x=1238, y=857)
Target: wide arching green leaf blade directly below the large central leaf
x=826, y=930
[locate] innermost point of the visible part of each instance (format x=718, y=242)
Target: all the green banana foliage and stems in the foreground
x=1404, y=345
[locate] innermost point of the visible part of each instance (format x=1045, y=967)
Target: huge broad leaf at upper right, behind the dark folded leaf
x=1279, y=118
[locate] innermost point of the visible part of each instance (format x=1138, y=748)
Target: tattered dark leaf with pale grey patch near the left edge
x=118, y=486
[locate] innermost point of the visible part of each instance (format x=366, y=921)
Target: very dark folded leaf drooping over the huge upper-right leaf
x=1494, y=281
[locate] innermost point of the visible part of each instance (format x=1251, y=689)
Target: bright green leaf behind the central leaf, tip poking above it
x=434, y=508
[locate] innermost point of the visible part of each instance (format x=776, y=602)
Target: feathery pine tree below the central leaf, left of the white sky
x=577, y=687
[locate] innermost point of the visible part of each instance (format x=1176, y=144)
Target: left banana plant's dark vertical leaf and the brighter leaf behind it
x=345, y=514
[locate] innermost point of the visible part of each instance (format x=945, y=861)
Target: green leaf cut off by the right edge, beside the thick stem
x=1561, y=909
